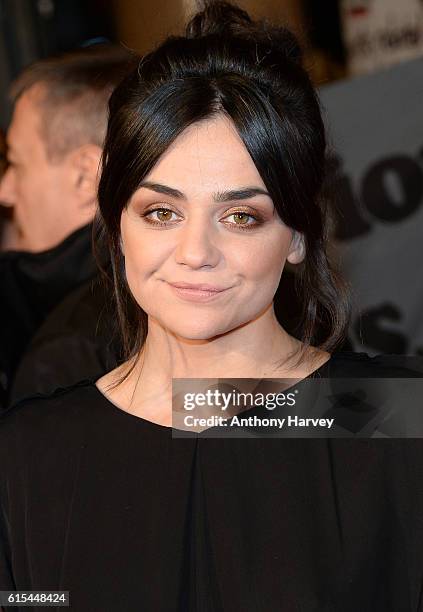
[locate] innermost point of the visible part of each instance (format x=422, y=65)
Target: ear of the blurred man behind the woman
x=85, y=161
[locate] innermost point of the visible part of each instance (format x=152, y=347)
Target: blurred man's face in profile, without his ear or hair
x=36, y=188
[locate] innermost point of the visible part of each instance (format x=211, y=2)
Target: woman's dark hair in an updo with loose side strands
x=251, y=72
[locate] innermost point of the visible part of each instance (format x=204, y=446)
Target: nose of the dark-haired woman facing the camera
x=196, y=246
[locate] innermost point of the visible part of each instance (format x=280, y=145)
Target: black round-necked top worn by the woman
x=110, y=507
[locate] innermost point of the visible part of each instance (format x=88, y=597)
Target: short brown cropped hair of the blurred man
x=73, y=90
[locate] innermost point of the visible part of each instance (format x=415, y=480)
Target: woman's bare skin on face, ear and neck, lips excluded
x=187, y=223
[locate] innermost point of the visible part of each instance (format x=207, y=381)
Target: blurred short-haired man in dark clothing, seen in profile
x=54, y=146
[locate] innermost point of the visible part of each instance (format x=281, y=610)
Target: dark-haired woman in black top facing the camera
x=213, y=165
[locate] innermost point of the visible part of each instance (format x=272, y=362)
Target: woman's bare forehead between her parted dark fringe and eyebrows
x=207, y=154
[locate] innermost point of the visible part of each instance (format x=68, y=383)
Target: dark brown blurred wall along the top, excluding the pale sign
x=31, y=29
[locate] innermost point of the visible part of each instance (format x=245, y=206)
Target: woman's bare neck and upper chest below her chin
x=259, y=349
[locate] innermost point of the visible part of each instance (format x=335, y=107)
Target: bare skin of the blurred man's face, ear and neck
x=51, y=198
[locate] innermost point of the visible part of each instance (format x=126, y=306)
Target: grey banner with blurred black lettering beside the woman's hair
x=375, y=124
